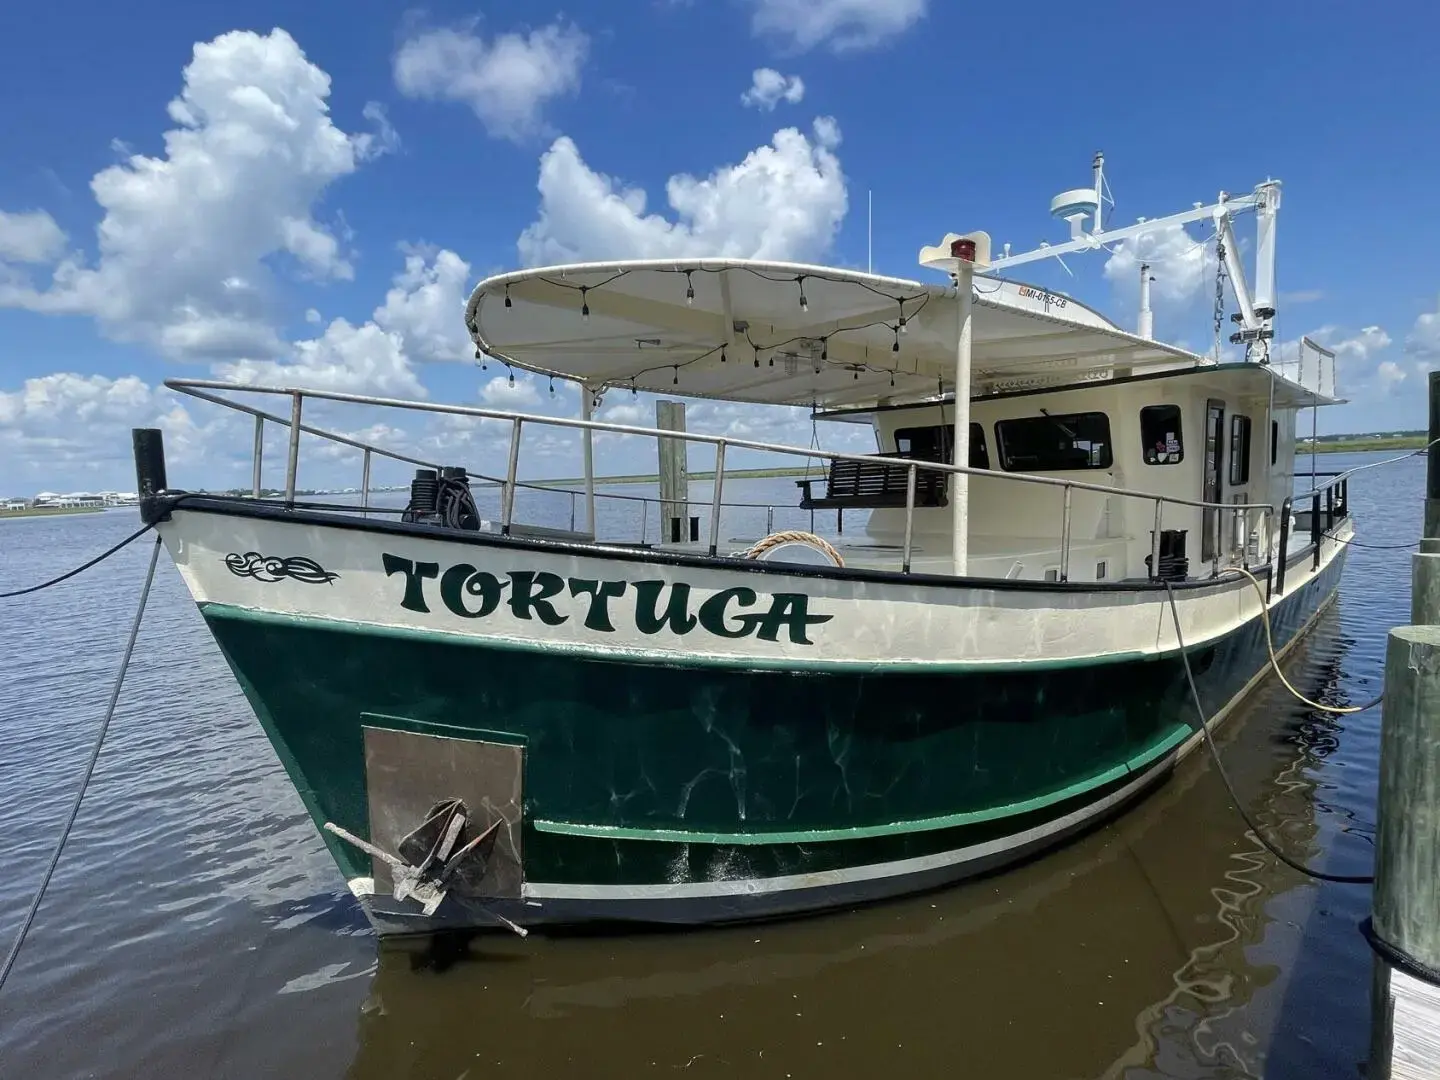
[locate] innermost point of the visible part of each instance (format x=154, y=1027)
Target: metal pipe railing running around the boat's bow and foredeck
x=510, y=485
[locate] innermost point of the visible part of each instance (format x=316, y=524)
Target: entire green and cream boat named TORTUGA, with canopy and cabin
x=495, y=722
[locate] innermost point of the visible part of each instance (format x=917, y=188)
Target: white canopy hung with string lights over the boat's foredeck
x=747, y=336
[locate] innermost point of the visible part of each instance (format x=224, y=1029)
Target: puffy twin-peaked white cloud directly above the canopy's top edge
x=784, y=201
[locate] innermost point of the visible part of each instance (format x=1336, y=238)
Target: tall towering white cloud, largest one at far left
x=185, y=244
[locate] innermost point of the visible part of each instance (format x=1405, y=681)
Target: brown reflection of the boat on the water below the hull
x=1153, y=947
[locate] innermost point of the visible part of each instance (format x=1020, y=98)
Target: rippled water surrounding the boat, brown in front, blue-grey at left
x=198, y=928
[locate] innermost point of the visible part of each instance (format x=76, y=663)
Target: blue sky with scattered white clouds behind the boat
x=305, y=195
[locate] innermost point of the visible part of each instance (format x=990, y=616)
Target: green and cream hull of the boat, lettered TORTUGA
x=676, y=741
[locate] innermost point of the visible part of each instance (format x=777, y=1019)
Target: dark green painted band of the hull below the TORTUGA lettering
x=652, y=774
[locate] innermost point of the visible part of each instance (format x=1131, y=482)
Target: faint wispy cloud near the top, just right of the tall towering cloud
x=506, y=81
